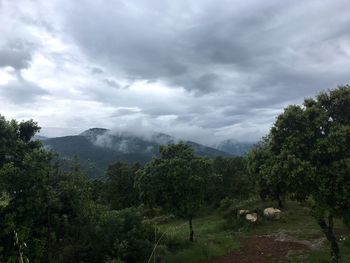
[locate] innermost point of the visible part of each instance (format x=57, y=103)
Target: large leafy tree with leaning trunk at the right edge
x=309, y=149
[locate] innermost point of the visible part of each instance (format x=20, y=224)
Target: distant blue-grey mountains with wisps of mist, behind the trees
x=99, y=147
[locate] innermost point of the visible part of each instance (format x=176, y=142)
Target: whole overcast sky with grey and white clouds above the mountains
x=200, y=70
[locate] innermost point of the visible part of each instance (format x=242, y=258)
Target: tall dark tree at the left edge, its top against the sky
x=24, y=169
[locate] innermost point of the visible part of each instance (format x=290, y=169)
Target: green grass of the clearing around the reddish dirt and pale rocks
x=213, y=239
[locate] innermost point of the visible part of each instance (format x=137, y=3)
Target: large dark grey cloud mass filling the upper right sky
x=196, y=45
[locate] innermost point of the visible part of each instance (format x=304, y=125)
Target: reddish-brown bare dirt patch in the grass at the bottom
x=262, y=249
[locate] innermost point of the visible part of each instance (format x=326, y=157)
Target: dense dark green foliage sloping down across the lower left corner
x=47, y=215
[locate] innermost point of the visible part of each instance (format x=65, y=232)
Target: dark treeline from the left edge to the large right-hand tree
x=51, y=213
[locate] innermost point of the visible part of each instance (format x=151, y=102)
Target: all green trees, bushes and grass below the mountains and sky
x=52, y=212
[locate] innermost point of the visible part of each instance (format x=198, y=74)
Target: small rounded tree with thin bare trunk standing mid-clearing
x=175, y=181
